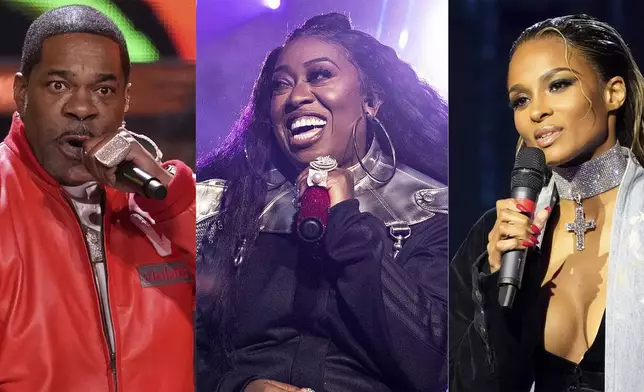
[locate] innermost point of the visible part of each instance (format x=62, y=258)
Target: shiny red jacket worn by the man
x=51, y=332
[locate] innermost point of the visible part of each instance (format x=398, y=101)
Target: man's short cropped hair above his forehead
x=66, y=20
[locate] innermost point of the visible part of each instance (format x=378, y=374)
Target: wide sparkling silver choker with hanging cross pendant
x=589, y=179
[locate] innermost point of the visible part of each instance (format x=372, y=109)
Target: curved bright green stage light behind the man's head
x=139, y=46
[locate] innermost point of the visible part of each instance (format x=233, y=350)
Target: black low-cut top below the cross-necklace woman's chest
x=556, y=374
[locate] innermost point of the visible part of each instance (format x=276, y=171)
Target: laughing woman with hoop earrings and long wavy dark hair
x=365, y=307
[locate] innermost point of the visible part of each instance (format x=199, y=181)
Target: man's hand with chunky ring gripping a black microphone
x=120, y=161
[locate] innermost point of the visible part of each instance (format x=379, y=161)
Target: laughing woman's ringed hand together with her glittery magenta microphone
x=321, y=186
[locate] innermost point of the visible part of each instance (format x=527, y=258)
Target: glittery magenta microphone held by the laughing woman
x=313, y=214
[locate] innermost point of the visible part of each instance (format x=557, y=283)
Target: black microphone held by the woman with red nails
x=528, y=178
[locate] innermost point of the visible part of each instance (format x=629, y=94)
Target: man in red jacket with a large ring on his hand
x=96, y=279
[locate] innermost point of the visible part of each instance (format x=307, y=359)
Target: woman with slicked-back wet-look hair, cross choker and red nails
x=577, y=321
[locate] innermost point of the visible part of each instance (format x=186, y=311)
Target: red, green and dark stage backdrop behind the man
x=161, y=40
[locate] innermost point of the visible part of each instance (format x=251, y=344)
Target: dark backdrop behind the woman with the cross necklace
x=482, y=133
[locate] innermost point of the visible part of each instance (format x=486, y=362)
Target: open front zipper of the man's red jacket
x=104, y=319
